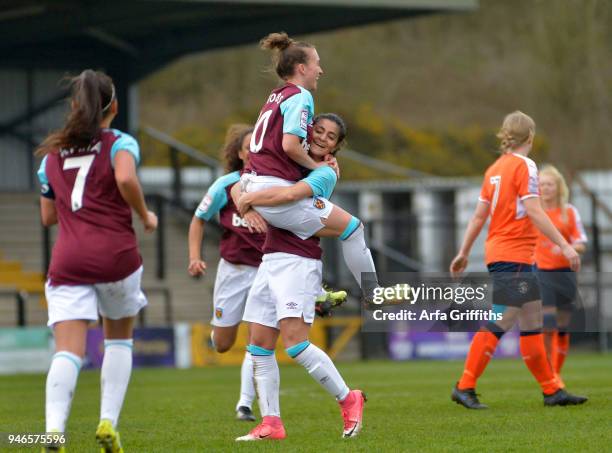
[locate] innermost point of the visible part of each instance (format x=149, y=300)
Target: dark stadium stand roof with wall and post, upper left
x=42, y=39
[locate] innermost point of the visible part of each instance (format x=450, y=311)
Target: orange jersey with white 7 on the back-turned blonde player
x=512, y=237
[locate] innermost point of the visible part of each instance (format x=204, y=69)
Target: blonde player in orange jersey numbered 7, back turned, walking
x=509, y=196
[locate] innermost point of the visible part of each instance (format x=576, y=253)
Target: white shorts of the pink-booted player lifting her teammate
x=286, y=286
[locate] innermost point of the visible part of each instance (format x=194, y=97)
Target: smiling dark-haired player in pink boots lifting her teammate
x=280, y=301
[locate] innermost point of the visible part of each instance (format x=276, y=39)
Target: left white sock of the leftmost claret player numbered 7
x=61, y=382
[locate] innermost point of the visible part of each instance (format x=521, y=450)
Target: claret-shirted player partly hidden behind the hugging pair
x=240, y=257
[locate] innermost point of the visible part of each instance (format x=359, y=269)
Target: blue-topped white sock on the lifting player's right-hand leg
x=320, y=367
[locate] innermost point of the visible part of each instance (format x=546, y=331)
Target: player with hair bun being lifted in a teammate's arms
x=279, y=158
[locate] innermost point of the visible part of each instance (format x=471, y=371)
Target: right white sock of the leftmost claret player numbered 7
x=116, y=370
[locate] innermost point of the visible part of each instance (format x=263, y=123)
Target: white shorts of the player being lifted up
x=302, y=218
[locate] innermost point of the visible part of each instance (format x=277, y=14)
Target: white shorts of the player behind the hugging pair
x=232, y=286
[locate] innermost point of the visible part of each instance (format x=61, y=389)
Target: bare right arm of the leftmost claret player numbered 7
x=129, y=187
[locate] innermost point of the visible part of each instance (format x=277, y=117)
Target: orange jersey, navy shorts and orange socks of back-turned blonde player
x=510, y=247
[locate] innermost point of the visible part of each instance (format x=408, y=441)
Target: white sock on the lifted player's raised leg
x=358, y=258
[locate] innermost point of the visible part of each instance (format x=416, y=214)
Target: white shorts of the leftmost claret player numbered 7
x=116, y=300
